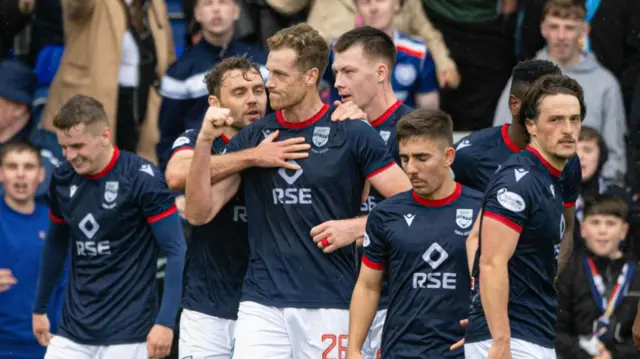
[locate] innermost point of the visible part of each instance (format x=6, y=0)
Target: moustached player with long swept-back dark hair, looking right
x=514, y=315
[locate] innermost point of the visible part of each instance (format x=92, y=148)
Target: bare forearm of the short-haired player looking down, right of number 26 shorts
x=364, y=304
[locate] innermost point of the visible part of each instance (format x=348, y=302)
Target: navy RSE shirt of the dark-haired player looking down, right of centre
x=421, y=243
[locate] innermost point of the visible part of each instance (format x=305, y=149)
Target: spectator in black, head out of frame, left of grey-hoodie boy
x=479, y=36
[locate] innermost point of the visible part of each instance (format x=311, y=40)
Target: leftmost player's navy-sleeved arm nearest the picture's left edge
x=54, y=255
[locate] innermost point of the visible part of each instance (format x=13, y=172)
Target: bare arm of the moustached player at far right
x=498, y=245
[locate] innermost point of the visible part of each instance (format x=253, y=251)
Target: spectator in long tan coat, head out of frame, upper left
x=115, y=51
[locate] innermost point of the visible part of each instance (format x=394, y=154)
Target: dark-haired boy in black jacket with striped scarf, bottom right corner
x=595, y=313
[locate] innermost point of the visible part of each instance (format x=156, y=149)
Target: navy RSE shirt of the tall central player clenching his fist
x=286, y=268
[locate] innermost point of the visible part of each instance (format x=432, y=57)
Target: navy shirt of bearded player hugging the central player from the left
x=218, y=252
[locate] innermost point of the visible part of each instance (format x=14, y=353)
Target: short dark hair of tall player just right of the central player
x=374, y=42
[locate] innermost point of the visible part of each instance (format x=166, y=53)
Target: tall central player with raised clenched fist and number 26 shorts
x=295, y=297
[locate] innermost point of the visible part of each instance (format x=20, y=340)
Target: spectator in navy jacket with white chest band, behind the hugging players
x=183, y=89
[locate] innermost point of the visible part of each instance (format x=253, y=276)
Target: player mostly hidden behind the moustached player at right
x=481, y=154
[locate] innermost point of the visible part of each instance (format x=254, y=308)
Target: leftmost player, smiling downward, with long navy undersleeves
x=116, y=211
